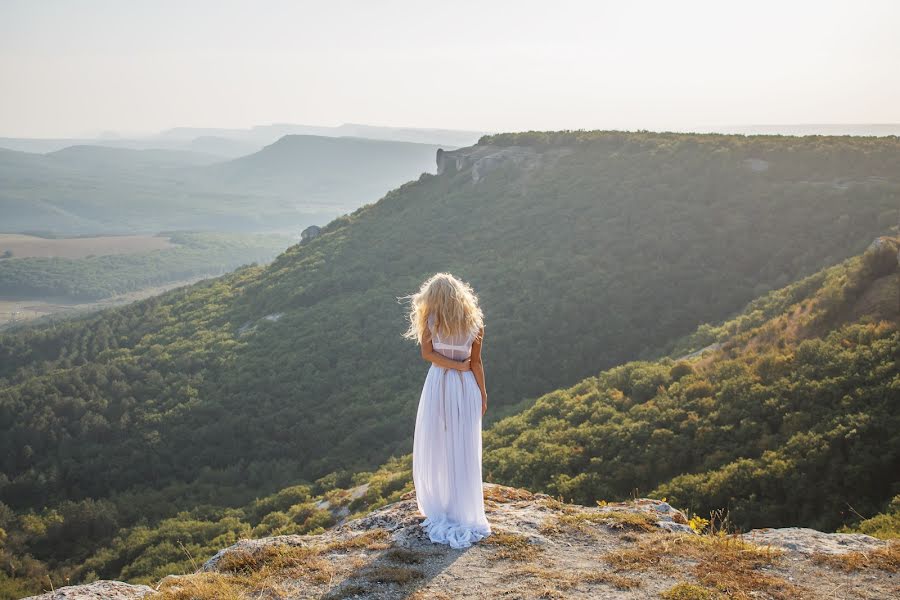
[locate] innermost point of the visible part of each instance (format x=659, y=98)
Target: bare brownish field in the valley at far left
x=24, y=246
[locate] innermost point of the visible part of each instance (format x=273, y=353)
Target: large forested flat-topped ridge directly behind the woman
x=587, y=248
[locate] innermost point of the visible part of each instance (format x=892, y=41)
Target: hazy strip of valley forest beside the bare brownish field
x=96, y=277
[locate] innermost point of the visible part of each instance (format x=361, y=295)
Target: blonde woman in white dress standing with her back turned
x=448, y=324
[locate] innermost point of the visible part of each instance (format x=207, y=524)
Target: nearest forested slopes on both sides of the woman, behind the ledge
x=789, y=422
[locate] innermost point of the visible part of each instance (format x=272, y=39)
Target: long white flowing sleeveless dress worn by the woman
x=447, y=449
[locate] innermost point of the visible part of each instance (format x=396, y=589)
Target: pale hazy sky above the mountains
x=71, y=68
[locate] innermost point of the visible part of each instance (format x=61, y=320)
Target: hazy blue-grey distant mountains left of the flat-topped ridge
x=296, y=181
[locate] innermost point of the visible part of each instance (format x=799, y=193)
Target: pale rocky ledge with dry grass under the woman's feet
x=539, y=548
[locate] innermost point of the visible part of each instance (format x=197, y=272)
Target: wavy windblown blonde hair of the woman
x=453, y=304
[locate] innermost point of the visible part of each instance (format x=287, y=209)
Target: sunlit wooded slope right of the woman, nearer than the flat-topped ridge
x=791, y=421
